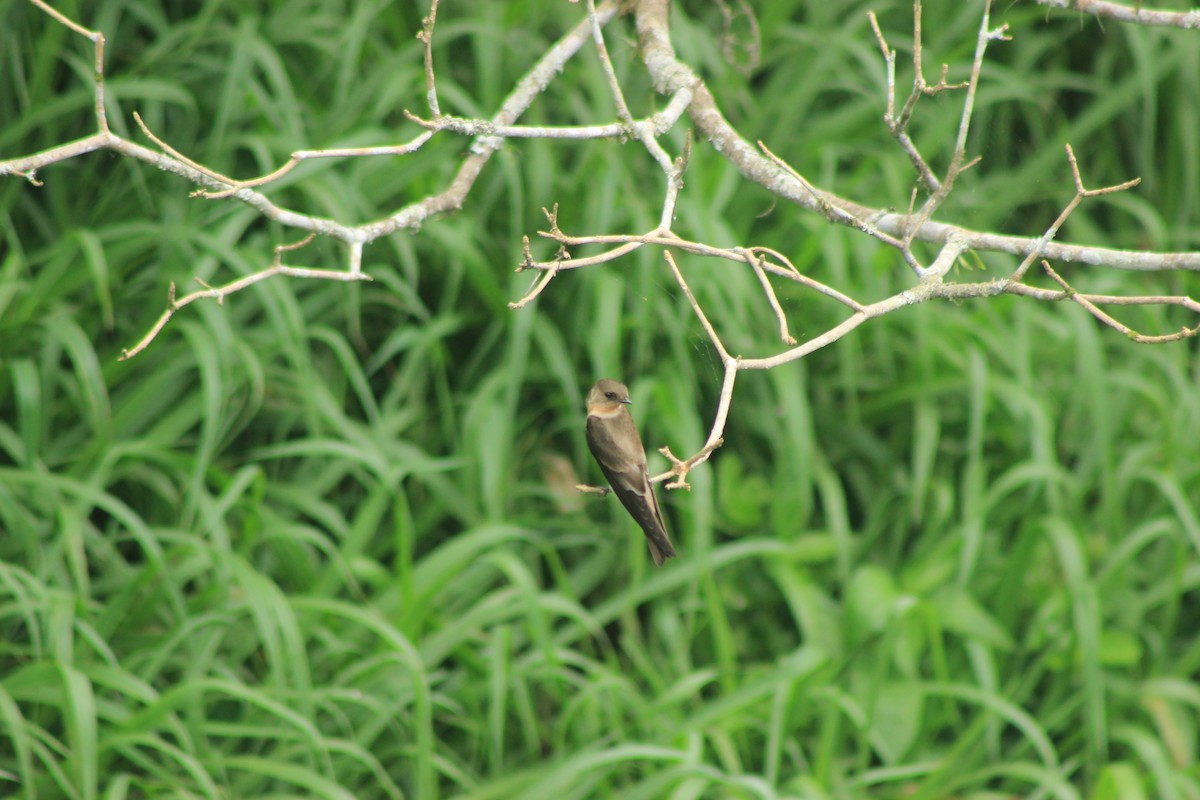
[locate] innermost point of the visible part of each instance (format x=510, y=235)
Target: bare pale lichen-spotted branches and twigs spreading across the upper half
x=688, y=95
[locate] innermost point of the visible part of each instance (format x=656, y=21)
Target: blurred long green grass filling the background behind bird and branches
x=321, y=542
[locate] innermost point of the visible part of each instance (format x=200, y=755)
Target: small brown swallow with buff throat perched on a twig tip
x=614, y=442
